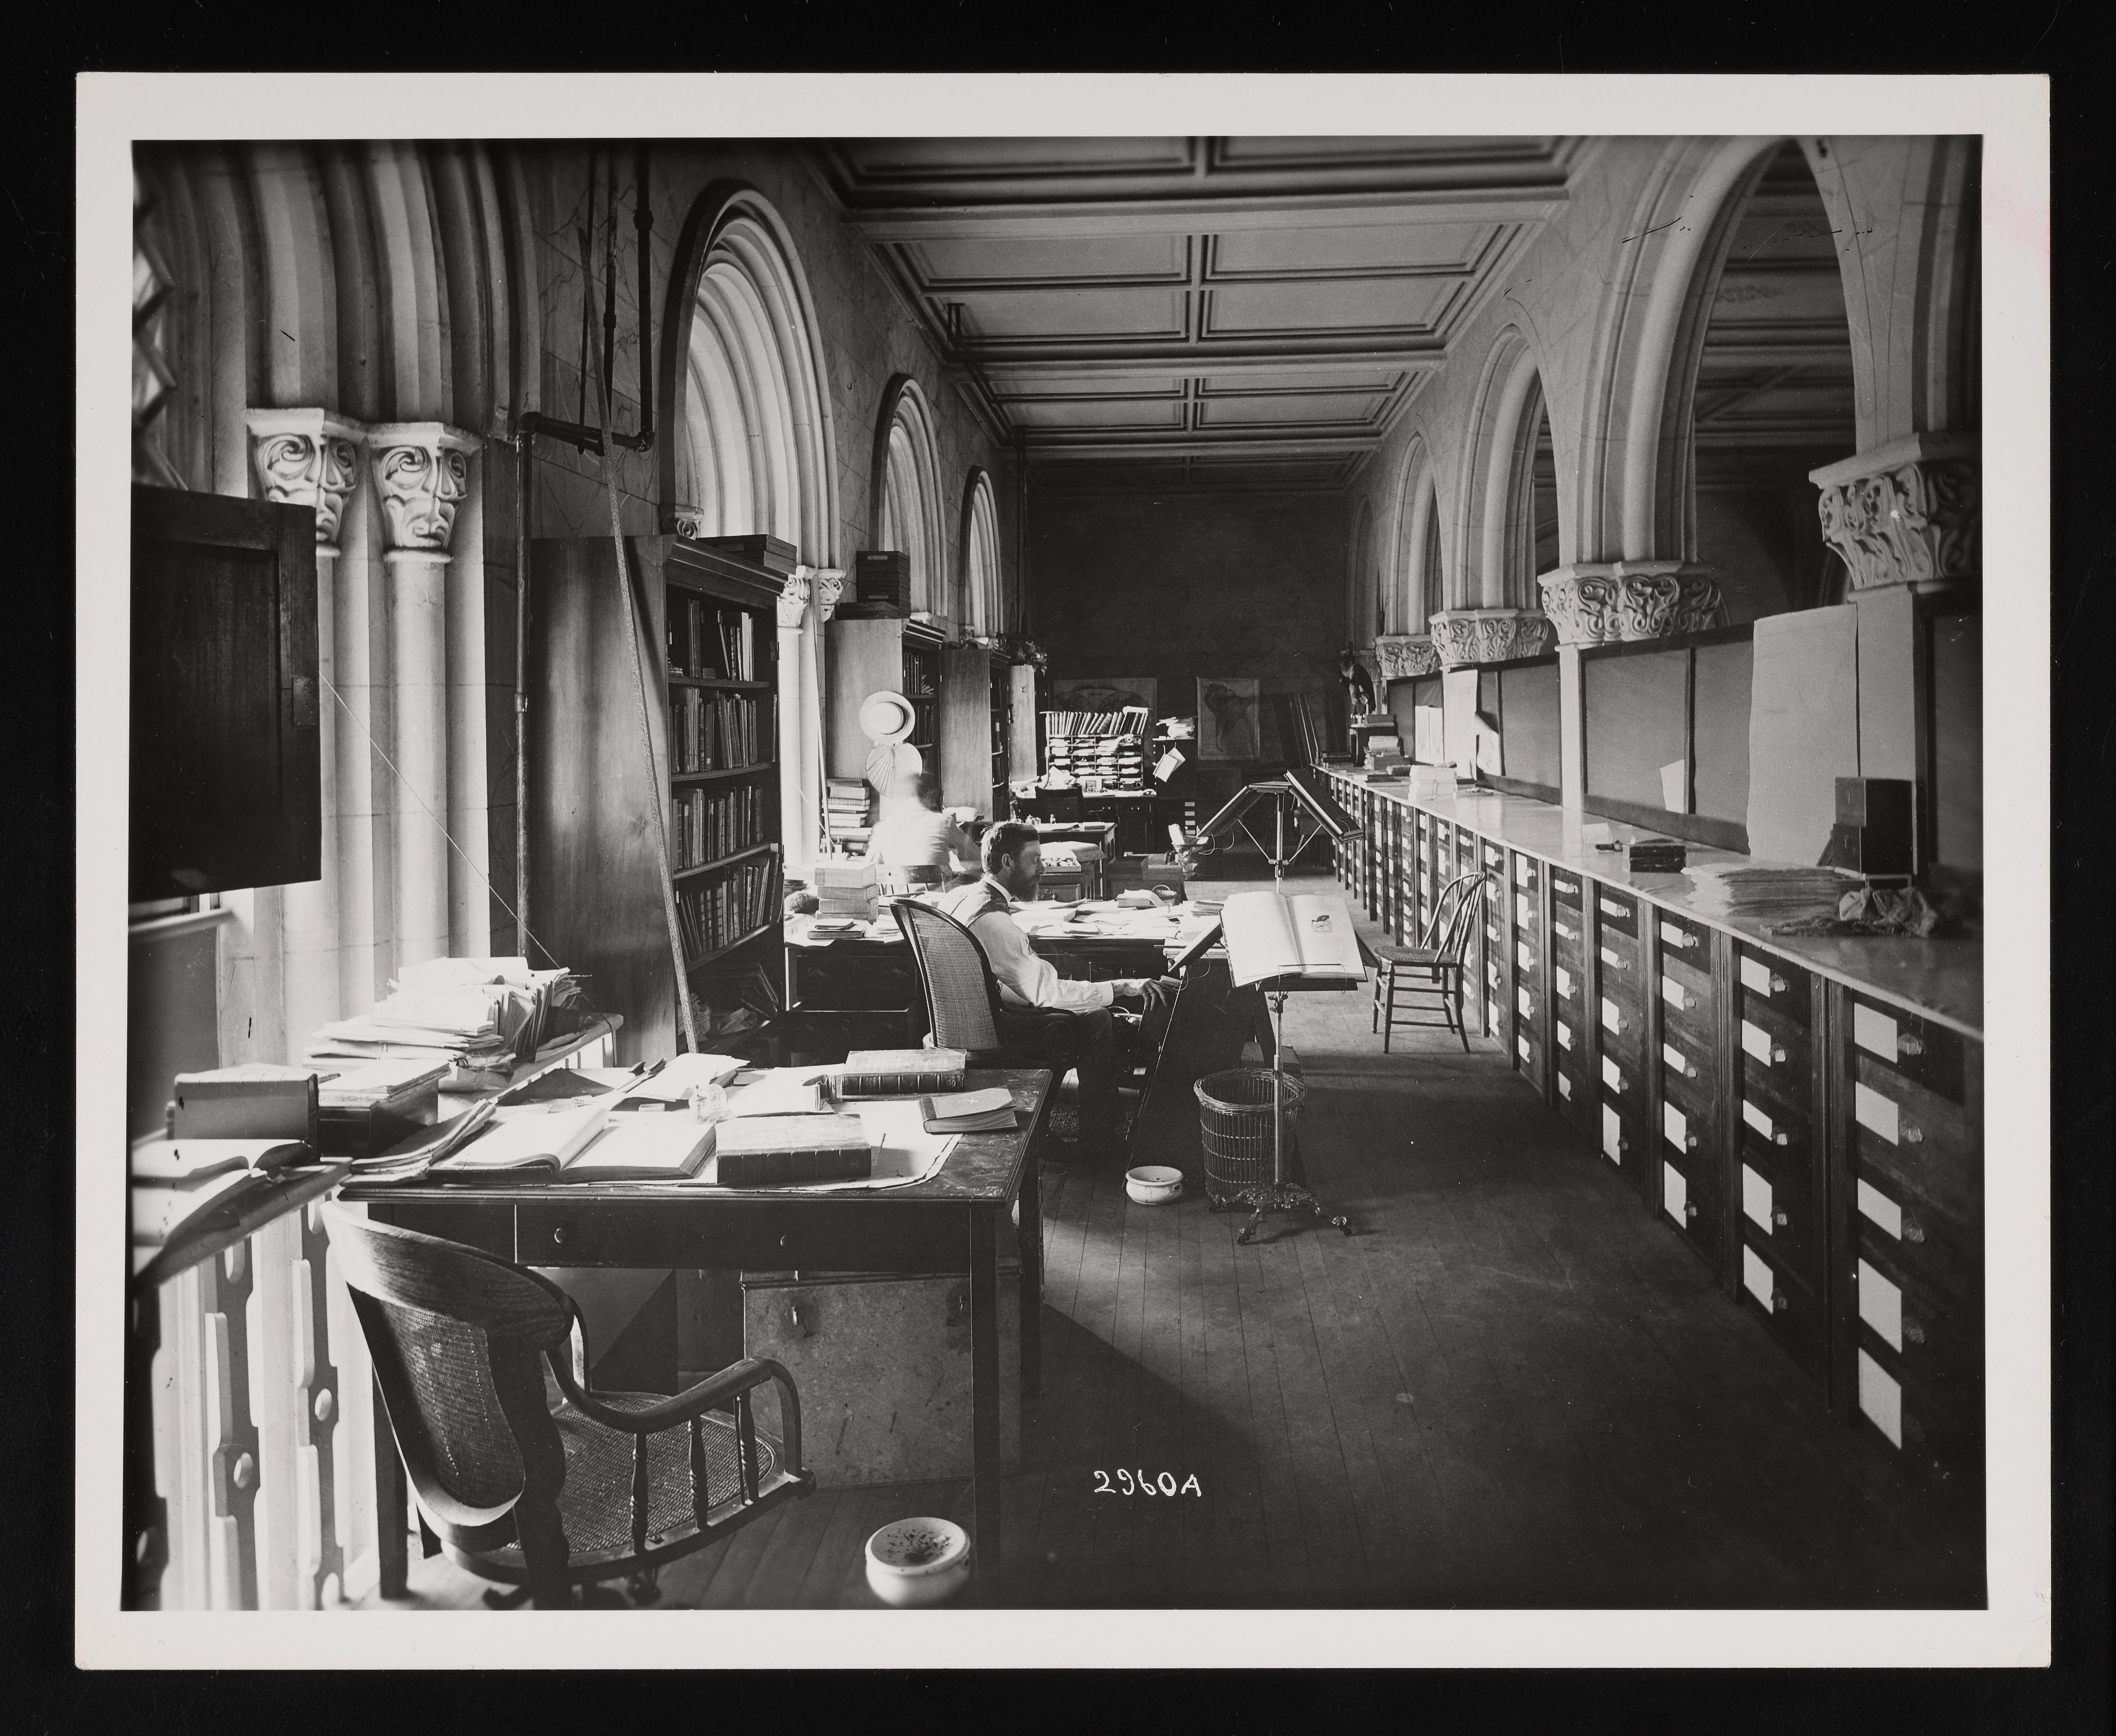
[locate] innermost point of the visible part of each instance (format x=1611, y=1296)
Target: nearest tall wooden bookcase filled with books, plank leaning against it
x=708, y=618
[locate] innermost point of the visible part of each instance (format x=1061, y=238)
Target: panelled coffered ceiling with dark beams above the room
x=1197, y=312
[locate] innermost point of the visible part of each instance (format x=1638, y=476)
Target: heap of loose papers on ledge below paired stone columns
x=475, y=1016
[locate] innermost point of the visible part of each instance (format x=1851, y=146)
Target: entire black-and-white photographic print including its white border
x=689, y=1048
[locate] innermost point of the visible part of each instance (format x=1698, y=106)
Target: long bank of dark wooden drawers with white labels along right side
x=1806, y=1113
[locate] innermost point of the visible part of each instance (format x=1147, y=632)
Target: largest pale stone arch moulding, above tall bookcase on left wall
x=737, y=284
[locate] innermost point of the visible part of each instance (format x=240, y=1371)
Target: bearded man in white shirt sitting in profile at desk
x=1013, y=868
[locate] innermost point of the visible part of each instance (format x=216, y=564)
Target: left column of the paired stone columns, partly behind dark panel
x=312, y=458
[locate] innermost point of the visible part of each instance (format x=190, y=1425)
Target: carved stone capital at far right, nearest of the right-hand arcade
x=1908, y=513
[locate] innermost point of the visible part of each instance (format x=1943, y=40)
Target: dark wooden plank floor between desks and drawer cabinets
x=1510, y=1388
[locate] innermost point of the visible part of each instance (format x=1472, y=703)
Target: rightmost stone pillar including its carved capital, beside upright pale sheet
x=1908, y=521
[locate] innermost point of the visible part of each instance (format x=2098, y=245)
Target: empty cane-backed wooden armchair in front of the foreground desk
x=547, y=1488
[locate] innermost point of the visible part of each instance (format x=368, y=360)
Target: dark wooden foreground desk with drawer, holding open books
x=941, y=1225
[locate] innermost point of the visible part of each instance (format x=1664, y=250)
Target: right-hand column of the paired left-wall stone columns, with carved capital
x=422, y=477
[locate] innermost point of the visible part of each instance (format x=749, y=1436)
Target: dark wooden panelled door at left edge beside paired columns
x=225, y=762
